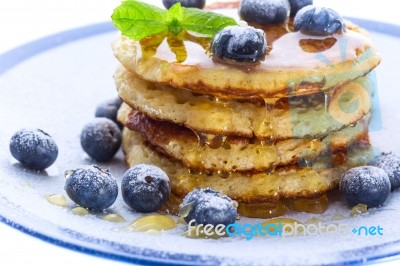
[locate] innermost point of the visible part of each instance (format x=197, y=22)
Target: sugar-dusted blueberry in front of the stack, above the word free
x=209, y=207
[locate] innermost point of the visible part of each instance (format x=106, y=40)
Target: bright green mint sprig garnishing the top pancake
x=138, y=20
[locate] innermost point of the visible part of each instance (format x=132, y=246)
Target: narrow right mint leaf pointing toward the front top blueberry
x=208, y=23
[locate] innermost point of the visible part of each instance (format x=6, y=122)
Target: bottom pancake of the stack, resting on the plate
x=285, y=183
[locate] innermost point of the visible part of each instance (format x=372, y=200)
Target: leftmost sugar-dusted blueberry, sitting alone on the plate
x=33, y=148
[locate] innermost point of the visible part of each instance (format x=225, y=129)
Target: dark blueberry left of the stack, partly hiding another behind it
x=101, y=139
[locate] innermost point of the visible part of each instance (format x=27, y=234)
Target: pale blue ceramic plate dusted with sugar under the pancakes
x=55, y=84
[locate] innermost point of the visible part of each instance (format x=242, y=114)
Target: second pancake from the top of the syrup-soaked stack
x=203, y=114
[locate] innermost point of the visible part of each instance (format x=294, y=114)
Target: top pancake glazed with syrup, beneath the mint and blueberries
x=296, y=64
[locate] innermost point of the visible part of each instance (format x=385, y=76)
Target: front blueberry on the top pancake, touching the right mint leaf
x=239, y=44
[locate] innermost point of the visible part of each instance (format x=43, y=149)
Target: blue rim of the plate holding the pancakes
x=13, y=57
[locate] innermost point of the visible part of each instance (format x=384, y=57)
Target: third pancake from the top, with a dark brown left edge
x=234, y=153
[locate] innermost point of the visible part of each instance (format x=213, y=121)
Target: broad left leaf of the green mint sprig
x=138, y=20
